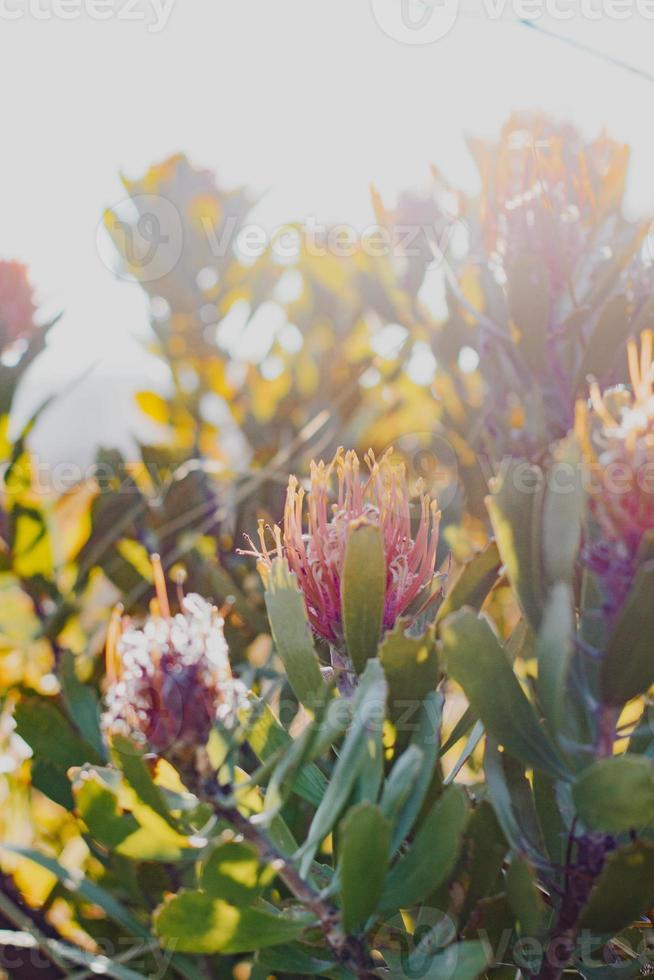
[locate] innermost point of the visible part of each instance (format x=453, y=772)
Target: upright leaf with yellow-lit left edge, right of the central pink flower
x=515, y=508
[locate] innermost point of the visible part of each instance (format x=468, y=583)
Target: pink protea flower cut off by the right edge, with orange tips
x=617, y=434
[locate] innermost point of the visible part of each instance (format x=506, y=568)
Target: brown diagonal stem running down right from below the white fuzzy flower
x=350, y=951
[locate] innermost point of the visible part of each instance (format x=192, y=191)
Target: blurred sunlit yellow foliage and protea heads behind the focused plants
x=459, y=329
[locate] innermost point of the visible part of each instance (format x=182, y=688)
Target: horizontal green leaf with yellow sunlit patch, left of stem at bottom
x=194, y=922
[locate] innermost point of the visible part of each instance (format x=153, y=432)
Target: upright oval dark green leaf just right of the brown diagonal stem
x=365, y=841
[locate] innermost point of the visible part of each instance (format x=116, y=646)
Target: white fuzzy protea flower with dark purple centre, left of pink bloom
x=170, y=681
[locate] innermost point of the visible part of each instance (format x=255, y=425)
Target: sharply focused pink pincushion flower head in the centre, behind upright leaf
x=314, y=543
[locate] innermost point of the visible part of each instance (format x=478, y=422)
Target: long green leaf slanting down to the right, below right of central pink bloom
x=478, y=662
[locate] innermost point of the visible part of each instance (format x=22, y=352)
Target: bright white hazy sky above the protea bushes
x=306, y=100
